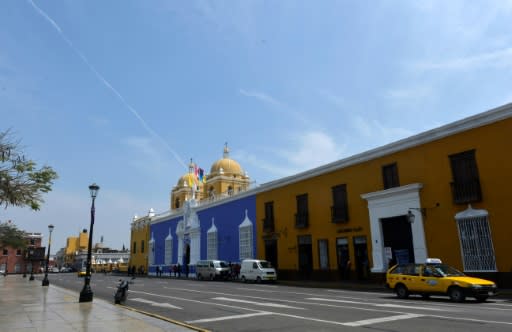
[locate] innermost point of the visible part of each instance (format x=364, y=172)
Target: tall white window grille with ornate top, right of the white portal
x=476, y=244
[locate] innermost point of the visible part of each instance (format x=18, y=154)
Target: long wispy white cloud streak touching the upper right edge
x=498, y=58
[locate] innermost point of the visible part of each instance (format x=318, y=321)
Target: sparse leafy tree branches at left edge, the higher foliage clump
x=22, y=183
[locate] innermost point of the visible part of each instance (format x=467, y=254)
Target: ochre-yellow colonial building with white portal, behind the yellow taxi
x=442, y=193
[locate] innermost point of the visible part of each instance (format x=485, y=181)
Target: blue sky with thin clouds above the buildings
x=124, y=93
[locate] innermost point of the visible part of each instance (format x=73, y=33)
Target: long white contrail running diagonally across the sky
x=106, y=83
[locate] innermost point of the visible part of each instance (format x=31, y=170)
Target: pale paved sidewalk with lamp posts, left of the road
x=27, y=306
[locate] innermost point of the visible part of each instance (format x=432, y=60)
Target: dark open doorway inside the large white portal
x=397, y=235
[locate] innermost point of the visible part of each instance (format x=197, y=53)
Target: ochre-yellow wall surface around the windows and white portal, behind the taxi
x=427, y=164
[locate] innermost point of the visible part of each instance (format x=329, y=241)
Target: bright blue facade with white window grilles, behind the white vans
x=220, y=230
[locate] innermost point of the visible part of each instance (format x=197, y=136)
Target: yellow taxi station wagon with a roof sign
x=435, y=278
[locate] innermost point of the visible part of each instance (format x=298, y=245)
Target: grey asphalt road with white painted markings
x=234, y=306
